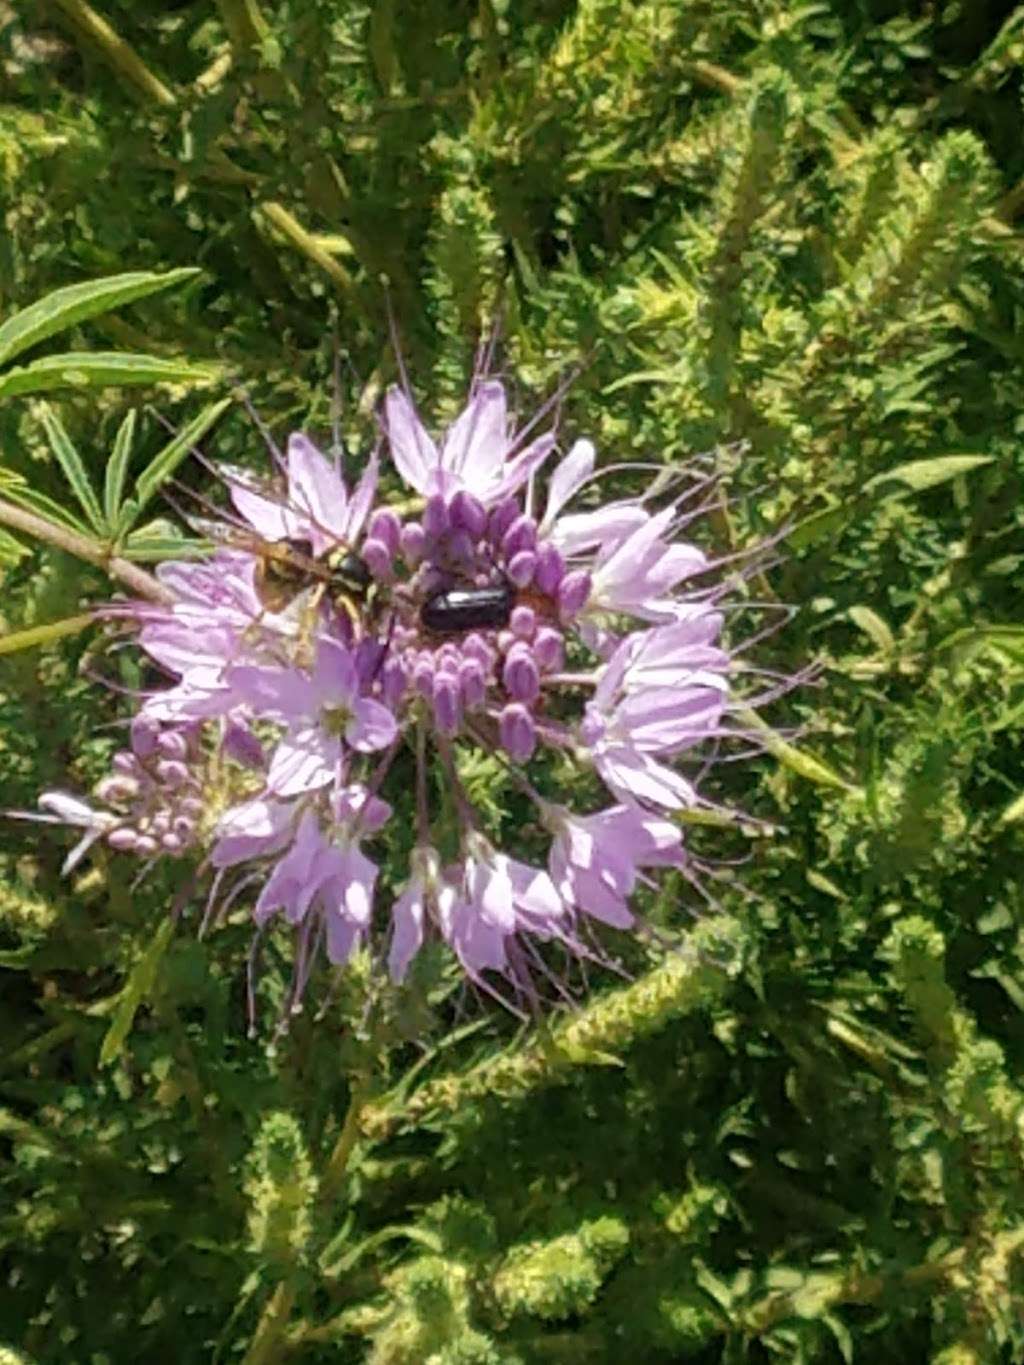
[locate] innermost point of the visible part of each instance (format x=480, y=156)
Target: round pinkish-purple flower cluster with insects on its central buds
x=302, y=716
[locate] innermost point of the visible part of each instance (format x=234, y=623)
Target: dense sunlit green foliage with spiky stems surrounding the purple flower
x=802, y=1138
